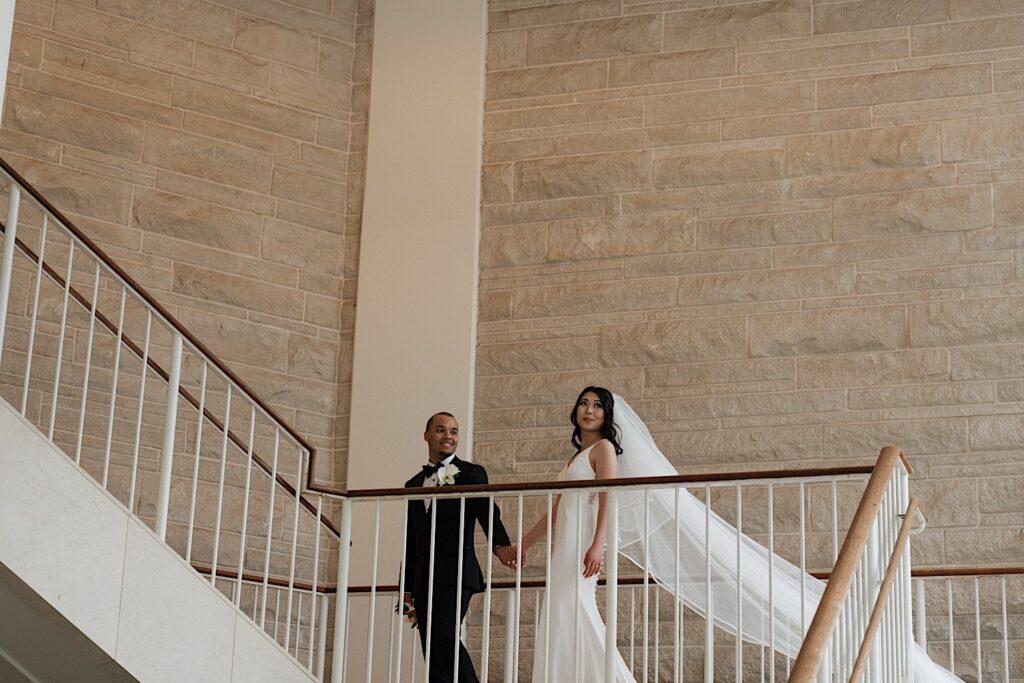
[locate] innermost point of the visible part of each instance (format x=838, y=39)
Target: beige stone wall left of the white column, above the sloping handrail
x=215, y=150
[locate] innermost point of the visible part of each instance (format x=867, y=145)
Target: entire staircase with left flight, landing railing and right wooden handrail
x=161, y=525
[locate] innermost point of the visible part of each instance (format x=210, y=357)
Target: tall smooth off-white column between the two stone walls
x=416, y=308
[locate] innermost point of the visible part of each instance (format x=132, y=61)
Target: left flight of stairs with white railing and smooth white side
x=149, y=497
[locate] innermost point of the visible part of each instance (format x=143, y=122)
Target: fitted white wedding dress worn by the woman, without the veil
x=577, y=635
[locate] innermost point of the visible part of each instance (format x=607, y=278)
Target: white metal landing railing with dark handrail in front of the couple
x=657, y=634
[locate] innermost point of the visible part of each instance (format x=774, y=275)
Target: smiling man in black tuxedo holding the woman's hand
x=442, y=437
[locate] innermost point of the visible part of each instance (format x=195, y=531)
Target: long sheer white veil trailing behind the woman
x=761, y=596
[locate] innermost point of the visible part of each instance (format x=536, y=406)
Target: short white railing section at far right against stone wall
x=970, y=621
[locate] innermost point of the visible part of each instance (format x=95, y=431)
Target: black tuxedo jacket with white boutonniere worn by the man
x=447, y=548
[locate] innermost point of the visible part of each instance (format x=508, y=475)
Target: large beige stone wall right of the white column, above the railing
x=789, y=233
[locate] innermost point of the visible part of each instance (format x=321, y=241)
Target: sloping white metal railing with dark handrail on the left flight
x=114, y=380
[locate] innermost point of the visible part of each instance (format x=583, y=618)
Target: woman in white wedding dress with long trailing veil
x=653, y=526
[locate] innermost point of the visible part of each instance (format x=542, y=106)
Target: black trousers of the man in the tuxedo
x=444, y=631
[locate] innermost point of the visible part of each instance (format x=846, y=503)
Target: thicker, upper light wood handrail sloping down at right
x=812, y=653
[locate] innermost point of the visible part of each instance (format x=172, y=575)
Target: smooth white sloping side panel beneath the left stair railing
x=105, y=572
